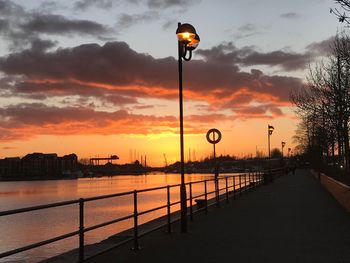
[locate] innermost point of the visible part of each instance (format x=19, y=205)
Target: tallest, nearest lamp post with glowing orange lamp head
x=188, y=40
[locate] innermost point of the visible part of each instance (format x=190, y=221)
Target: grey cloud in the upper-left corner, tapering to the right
x=19, y=27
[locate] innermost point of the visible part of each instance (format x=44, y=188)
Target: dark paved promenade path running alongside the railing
x=294, y=219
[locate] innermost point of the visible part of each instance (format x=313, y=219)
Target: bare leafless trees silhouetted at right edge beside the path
x=323, y=103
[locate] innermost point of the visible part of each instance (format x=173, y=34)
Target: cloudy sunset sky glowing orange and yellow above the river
x=99, y=77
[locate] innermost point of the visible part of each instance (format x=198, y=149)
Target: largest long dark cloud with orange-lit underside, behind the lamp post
x=115, y=69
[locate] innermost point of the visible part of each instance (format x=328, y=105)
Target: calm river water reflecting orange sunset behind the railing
x=26, y=228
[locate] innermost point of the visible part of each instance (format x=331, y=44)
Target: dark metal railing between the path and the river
x=246, y=182
